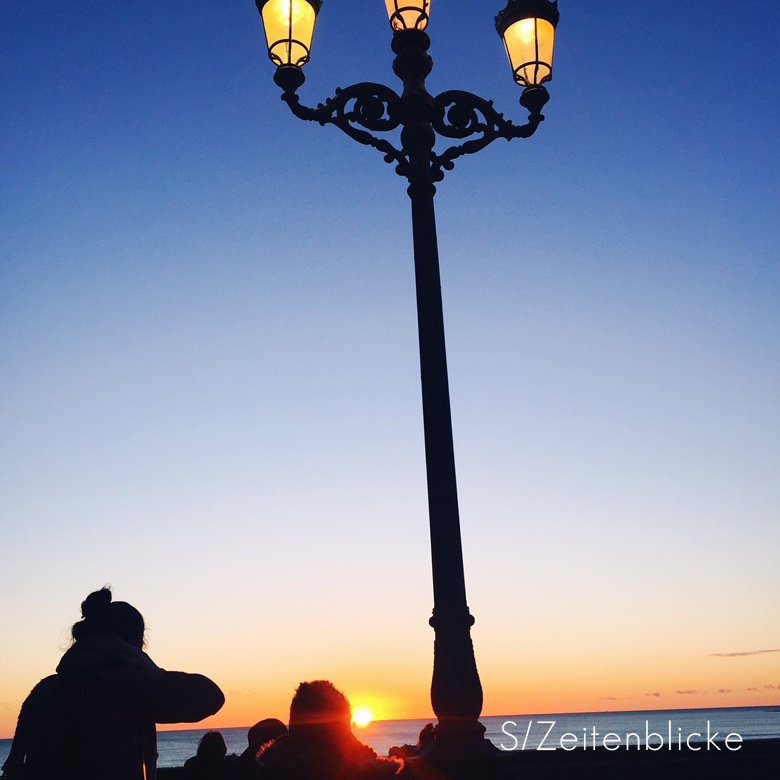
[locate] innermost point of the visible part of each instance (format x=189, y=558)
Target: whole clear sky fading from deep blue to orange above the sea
x=209, y=389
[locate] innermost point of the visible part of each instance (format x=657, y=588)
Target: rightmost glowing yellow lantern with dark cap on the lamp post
x=527, y=28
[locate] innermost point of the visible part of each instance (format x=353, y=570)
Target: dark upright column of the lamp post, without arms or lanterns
x=456, y=692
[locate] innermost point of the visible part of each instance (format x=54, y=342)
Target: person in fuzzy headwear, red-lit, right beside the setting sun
x=320, y=744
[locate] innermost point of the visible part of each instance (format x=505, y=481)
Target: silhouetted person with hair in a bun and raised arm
x=95, y=718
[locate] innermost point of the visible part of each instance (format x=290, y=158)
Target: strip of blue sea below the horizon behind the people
x=646, y=730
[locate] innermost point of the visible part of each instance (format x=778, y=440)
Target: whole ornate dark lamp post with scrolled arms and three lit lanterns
x=527, y=28
